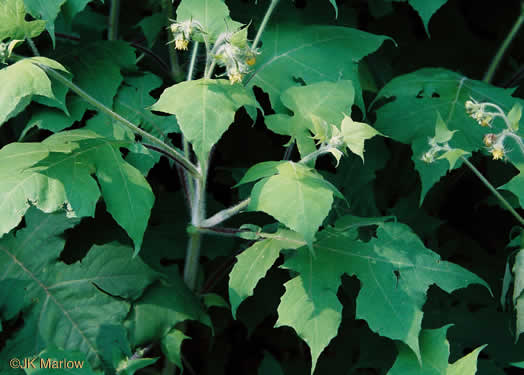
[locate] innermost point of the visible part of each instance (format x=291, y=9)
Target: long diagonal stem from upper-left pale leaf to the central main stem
x=173, y=153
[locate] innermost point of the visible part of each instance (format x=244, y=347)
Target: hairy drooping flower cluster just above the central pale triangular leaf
x=232, y=51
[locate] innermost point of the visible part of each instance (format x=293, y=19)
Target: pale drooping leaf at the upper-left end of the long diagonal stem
x=21, y=82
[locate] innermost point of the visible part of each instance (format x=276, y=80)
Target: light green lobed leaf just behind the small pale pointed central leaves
x=322, y=101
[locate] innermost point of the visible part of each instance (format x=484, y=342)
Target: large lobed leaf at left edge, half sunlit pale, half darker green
x=57, y=173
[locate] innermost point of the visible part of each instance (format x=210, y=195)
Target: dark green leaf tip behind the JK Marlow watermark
x=61, y=362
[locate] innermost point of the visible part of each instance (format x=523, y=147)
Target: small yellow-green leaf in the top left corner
x=13, y=24
